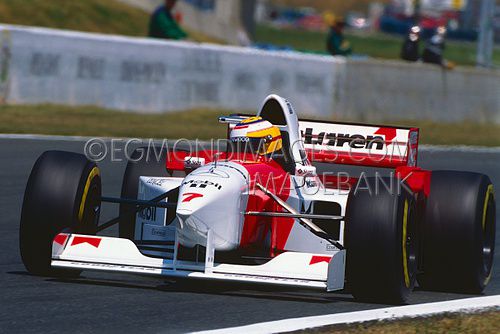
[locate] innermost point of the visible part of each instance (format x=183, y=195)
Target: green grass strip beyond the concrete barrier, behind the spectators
x=376, y=45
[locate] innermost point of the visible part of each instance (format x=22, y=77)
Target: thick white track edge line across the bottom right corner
x=390, y=313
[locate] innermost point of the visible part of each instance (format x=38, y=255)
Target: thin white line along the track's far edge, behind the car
x=425, y=148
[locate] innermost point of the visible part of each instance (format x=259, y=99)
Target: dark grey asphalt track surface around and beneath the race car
x=100, y=302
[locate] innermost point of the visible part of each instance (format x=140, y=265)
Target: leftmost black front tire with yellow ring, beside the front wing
x=63, y=194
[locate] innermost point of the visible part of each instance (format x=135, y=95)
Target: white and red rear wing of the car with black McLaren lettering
x=359, y=144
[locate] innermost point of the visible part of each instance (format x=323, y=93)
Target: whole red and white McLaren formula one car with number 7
x=259, y=211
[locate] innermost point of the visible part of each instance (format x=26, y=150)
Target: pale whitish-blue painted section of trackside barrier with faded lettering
x=45, y=65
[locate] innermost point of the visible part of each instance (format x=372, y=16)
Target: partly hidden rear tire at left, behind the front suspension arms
x=144, y=161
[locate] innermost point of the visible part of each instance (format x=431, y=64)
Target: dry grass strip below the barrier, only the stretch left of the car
x=93, y=121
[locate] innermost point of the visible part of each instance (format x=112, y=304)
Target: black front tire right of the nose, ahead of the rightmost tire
x=381, y=241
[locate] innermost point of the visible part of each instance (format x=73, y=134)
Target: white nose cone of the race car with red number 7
x=211, y=198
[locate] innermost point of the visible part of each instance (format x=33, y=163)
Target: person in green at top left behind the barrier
x=163, y=23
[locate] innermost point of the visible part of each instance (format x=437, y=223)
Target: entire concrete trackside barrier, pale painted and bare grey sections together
x=40, y=65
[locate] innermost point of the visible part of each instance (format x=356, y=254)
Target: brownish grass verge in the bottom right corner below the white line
x=484, y=323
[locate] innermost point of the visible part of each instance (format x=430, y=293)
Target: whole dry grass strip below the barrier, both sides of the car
x=201, y=124
